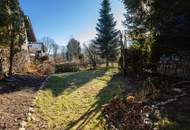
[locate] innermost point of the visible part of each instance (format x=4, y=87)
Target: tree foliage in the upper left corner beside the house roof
x=11, y=25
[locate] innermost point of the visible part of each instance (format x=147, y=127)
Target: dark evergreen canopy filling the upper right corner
x=164, y=25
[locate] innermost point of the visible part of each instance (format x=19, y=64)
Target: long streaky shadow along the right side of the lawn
x=114, y=88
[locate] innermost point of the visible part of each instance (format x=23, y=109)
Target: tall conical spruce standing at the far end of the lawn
x=106, y=42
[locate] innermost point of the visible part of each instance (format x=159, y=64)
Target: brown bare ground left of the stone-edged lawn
x=16, y=98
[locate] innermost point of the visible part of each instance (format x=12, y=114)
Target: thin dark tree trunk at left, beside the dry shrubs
x=11, y=58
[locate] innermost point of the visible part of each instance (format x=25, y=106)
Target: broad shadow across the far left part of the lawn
x=72, y=81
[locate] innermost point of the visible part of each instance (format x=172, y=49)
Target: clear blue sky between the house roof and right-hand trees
x=64, y=19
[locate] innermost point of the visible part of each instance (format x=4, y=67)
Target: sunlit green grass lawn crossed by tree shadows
x=73, y=101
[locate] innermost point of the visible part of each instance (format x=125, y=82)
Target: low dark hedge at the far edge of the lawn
x=67, y=67
